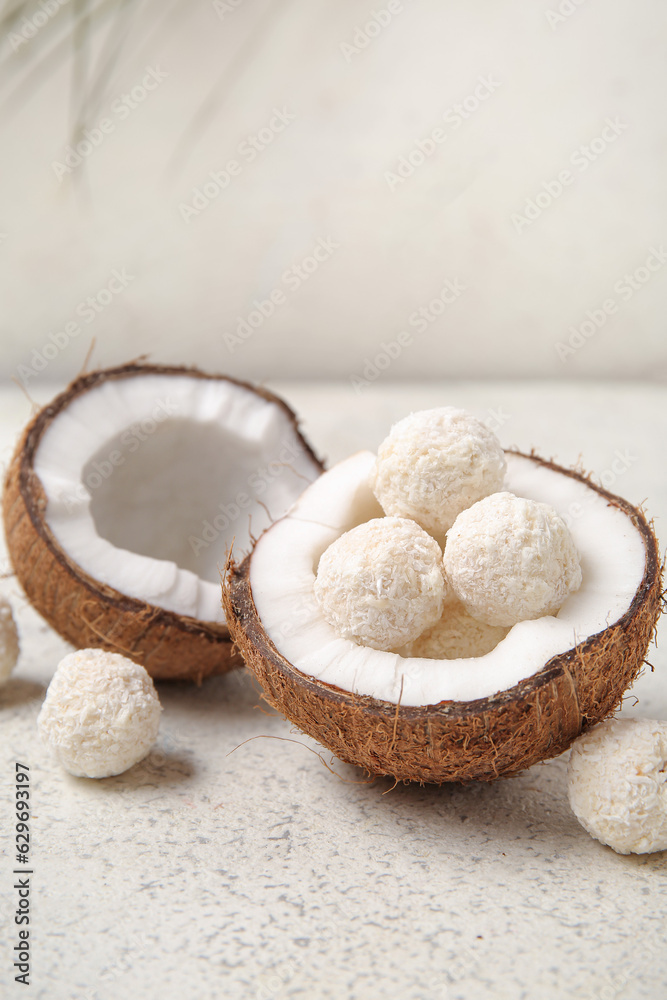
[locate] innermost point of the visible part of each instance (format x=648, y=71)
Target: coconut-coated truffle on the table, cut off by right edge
x=617, y=784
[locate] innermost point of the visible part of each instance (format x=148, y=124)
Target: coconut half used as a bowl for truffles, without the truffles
x=472, y=717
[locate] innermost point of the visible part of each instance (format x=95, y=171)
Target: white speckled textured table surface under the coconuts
x=258, y=873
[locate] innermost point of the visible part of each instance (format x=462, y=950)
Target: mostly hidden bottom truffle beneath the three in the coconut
x=457, y=634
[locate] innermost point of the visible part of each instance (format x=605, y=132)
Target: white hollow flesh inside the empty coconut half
x=149, y=479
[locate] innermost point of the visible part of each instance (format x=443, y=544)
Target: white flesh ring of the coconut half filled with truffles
x=284, y=564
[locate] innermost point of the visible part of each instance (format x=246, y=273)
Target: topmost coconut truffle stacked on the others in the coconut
x=434, y=464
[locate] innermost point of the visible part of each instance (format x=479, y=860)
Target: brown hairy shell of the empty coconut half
x=86, y=611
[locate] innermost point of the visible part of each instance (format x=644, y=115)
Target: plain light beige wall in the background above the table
x=543, y=87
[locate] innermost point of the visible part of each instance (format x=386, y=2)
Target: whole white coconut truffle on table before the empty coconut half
x=101, y=713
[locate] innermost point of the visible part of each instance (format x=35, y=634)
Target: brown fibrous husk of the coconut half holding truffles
x=460, y=741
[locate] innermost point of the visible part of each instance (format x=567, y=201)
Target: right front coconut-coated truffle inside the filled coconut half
x=509, y=559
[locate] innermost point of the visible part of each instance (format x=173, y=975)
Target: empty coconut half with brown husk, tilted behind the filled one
x=124, y=495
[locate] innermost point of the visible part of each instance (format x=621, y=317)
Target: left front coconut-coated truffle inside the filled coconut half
x=381, y=584
